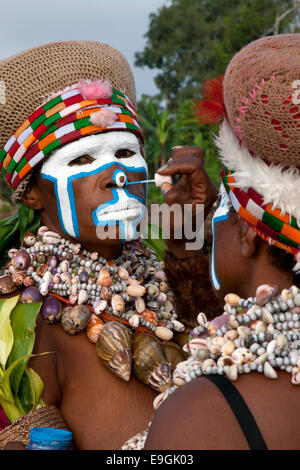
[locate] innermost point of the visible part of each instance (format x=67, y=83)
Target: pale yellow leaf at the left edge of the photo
x=6, y=331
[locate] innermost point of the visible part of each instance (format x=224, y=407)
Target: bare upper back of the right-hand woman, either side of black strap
x=197, y=416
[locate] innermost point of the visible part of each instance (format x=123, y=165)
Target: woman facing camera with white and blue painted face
x=68, y=158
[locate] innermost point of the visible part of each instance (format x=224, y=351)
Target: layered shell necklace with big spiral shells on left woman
x=110, y=299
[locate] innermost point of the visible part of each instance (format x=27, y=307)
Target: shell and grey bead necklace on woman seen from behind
x=259, y=334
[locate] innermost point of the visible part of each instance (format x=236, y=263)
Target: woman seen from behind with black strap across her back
x=239, y=389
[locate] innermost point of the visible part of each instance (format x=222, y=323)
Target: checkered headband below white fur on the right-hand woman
x=279, y=229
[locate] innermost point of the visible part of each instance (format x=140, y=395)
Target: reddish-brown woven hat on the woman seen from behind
x=259, y=89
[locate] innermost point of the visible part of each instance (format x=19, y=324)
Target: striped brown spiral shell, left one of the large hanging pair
x=114, y=349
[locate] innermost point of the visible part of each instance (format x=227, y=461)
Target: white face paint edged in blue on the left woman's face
x=124, y=209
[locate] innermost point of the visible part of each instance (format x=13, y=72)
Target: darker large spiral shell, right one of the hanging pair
x=150, y=364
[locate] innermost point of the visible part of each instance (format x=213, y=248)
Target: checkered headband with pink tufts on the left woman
x=84, y=109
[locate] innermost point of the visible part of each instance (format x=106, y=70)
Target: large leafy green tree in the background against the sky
x=192, y=40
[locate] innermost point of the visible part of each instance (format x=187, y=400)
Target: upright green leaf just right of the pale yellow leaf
x=23, y=319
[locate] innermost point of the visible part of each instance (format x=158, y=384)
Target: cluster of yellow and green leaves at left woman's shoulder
x=20, y=387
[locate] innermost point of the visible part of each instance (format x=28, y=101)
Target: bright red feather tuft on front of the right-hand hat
x=211, y=108
